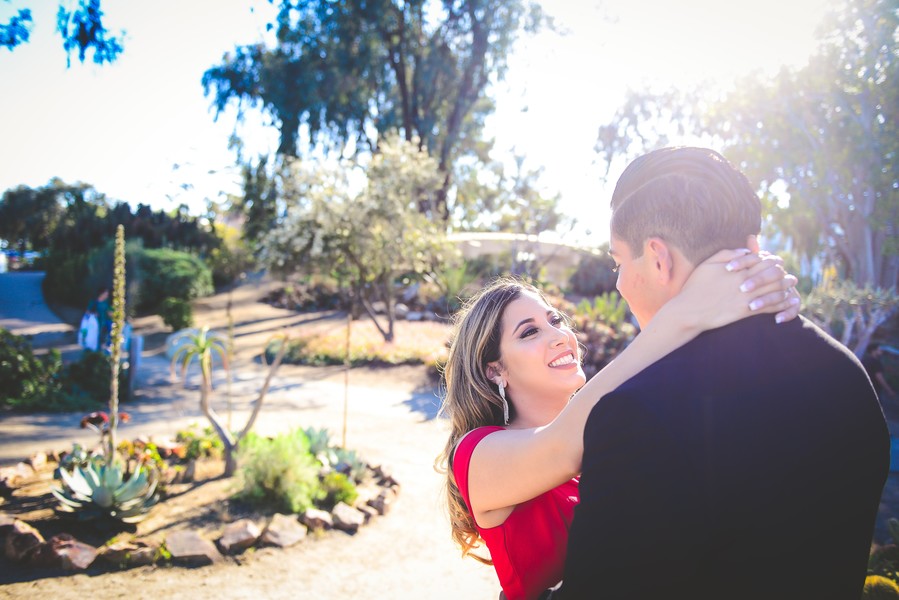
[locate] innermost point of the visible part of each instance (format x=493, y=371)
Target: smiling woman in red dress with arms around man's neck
x=515, y=446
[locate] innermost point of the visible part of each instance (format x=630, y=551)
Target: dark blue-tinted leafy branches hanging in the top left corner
x=81, y=29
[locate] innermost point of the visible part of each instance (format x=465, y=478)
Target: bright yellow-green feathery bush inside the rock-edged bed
x=279, y=473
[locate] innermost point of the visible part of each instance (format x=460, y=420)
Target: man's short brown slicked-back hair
x=692, y=198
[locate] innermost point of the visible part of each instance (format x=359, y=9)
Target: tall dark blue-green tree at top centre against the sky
x=353, y=70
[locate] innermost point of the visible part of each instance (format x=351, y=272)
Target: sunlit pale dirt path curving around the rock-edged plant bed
x=406, y=554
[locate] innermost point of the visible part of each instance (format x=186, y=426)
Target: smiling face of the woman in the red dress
x=539, y=354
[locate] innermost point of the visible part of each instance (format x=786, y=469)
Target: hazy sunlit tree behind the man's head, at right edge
x=826, y=134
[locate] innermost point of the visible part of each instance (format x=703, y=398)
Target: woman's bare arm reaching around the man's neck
x=512, y=466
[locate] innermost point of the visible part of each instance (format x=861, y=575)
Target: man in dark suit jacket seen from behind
x=749, y=463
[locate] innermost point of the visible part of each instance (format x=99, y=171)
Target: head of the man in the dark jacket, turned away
x=672, y=209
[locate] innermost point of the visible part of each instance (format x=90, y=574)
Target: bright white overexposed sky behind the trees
x=141, y=130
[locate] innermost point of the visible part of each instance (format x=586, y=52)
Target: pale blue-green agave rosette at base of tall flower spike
x=98, y=490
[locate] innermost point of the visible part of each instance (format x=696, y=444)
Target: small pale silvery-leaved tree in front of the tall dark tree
x=367, y=239
